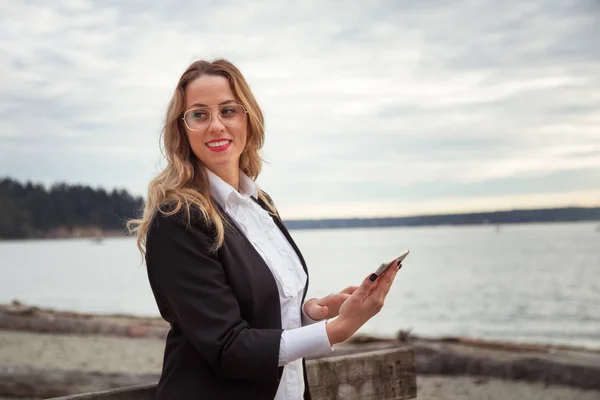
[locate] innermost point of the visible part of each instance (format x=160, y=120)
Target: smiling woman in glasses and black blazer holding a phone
x=224, y=270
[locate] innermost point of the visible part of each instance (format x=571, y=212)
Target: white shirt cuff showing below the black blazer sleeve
x=307, y=341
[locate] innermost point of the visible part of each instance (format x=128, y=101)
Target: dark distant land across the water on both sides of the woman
x=32, y=211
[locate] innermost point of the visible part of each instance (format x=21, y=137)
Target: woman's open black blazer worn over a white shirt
x=223, y=309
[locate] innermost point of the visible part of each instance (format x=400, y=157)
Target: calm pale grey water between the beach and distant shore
x=534, y=283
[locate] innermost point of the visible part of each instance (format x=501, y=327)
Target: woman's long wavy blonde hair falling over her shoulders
x=183, y=183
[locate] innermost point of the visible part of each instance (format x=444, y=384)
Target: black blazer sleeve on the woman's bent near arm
x=194, y=288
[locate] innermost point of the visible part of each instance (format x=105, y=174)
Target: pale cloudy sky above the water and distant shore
x=378, y=108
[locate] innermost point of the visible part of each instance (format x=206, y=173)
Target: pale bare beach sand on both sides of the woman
x=122, y=354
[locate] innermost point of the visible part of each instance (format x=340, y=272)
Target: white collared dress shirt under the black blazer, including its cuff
x=302, y=336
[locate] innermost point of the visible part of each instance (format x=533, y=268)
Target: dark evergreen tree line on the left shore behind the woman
x=32, y=211
